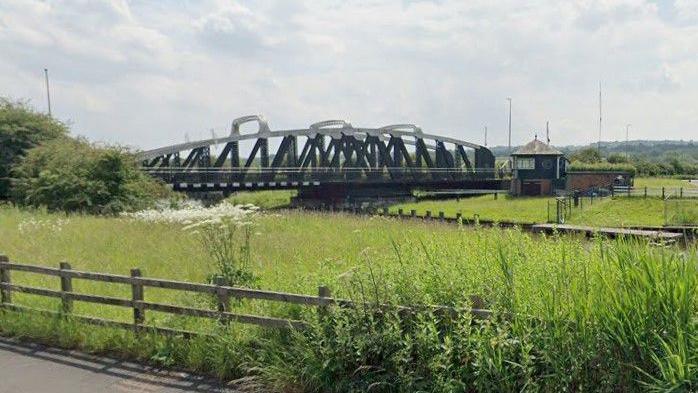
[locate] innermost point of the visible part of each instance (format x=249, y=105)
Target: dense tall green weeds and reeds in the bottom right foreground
x=629, y=323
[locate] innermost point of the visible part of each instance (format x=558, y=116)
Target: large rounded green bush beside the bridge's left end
x=73, y=175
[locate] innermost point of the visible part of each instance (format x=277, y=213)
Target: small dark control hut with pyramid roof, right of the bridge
x=538, y=169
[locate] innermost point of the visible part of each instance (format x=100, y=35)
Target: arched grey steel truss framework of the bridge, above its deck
x=351, y=153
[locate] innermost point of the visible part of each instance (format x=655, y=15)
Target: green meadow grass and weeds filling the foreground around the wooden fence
x=571, y=314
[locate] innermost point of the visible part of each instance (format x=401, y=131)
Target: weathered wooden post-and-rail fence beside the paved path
x=139, y=306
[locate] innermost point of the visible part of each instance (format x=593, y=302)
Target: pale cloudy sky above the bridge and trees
x=152, y=73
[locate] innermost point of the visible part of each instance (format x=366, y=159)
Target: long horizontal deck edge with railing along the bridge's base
x=329, y=174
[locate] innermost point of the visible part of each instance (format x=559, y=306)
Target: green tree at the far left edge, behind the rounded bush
x=22, y=128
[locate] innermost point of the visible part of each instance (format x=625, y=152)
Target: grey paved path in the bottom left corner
x=32, y=368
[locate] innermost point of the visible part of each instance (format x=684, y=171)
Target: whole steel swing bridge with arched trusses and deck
x=331, y=152
